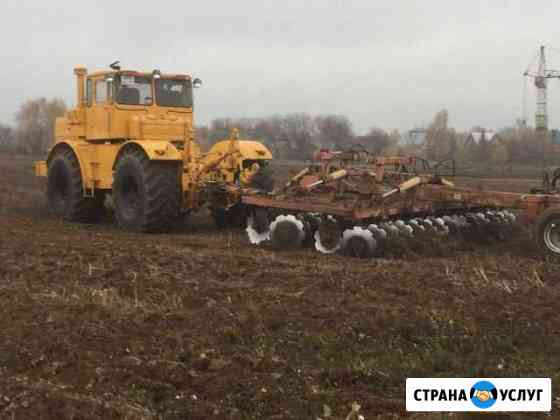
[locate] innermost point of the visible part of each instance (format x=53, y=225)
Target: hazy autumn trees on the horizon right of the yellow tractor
x=298, y=135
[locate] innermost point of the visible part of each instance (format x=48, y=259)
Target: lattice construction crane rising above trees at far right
x=540, y=77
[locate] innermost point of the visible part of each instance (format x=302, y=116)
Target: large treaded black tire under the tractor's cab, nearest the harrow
x=146, y=194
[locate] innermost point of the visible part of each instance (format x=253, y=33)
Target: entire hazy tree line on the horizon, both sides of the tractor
x=298, y=135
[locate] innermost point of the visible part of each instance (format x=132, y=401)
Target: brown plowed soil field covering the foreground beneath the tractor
x=96, y=323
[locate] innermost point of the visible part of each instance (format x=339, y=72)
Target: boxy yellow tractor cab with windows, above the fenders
x=125, y=104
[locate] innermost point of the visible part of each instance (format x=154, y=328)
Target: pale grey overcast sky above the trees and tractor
x=390, y=64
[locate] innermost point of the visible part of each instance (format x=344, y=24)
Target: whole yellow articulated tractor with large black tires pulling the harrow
x=132, y=135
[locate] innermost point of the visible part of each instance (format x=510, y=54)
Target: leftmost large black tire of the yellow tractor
x=65, y=193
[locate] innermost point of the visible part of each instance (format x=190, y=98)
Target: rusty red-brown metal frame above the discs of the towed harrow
x=360, y=188
